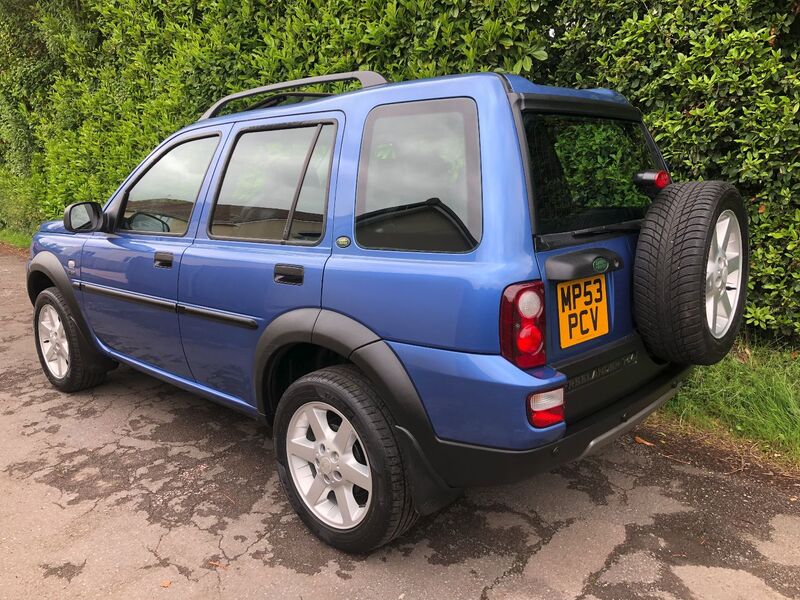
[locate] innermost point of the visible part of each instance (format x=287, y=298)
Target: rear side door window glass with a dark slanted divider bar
x=275, y=185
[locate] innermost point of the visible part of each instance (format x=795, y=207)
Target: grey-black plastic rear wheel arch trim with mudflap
x=378, y=361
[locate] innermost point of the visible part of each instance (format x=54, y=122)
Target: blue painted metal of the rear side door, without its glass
x=221, y=355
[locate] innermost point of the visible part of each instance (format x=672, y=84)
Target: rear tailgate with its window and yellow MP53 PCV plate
x=587, y=211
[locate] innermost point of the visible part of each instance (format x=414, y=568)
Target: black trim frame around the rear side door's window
x=221, y=179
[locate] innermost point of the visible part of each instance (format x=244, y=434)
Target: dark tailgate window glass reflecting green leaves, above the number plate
x=583, y=168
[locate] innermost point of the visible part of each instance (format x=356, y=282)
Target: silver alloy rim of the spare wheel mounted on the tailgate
x=723, y=274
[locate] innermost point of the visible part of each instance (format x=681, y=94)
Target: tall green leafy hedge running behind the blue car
x=88, y=88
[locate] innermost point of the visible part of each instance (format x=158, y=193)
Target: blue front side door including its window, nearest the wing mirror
x=129, y=276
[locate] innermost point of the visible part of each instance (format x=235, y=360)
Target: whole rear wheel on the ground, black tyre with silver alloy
x=339, y=462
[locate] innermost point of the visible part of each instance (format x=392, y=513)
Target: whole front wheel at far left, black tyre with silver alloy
x=68, y=367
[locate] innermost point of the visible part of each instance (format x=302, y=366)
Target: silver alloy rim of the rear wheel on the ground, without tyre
x=329, y=465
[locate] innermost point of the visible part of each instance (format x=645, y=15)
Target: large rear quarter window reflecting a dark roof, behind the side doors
x=419, y=177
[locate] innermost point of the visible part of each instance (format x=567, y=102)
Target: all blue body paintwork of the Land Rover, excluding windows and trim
x=439, y=312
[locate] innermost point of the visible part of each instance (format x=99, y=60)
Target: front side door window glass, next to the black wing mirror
x=162, y=200
